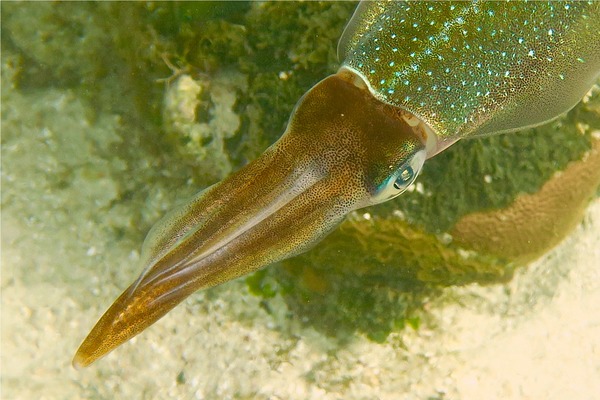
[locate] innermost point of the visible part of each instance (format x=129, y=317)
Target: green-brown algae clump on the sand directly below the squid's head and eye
x=373, y=276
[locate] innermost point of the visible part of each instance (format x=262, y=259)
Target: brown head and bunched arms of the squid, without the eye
x=339, y=149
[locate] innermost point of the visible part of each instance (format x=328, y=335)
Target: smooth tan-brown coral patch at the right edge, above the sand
x=536, y=222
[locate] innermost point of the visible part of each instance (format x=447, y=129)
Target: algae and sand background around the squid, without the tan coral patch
x=114, y=112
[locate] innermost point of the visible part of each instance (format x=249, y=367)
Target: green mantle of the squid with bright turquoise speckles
x=476, y=68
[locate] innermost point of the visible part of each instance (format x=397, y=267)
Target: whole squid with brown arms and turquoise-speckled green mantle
x=415, y=77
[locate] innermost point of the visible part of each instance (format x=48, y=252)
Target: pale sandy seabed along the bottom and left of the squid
x=537, y=337
